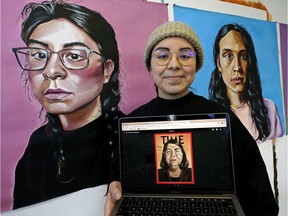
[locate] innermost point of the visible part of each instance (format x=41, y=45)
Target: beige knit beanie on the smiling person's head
x=174, y=29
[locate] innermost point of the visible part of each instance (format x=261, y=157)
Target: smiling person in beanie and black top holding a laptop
x=173, y=55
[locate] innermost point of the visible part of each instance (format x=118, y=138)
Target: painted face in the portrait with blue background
x=233, y=62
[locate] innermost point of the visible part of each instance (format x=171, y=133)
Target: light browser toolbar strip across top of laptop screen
x=179, y=124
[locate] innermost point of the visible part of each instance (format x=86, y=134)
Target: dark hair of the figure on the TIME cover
x=184, y=163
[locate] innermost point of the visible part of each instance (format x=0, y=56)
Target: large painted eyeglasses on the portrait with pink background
x=32, y=59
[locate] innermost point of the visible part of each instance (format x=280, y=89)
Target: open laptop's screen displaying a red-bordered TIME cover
x=155, y=149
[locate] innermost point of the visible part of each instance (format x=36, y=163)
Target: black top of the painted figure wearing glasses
x=87, y=157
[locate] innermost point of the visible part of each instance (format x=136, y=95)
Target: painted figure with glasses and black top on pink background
x=71, y=65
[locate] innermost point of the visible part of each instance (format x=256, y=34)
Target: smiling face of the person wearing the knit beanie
x=174, y=79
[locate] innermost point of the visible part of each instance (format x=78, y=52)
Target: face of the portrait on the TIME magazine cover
x=174, y=156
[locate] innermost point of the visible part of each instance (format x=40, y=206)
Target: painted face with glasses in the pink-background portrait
x=58, y=89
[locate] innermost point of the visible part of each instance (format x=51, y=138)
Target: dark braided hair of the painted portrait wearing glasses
x=98, y=28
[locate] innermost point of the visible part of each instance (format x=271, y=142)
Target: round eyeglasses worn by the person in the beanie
x=163, y=56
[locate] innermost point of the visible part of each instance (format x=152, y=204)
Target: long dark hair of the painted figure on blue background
x=253, y=90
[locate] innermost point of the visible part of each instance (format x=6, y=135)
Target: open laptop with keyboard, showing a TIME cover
x=176, y=165
